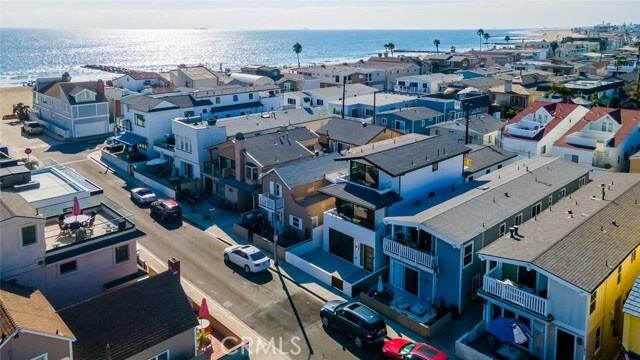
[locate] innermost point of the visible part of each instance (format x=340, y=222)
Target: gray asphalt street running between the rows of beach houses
x=270, y=304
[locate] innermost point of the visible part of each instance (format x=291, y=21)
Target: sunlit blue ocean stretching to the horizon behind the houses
x=27, y=54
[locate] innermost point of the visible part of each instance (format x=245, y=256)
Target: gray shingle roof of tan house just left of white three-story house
x=306, y=171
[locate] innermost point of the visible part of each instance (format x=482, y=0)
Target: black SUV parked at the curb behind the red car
x=364, y=325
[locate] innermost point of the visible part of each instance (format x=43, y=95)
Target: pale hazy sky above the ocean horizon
x=315, y=14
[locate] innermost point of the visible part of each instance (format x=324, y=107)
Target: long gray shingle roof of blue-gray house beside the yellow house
x=486, y=204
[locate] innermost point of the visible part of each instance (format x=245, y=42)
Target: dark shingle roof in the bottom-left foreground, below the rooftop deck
x=131, y=319
